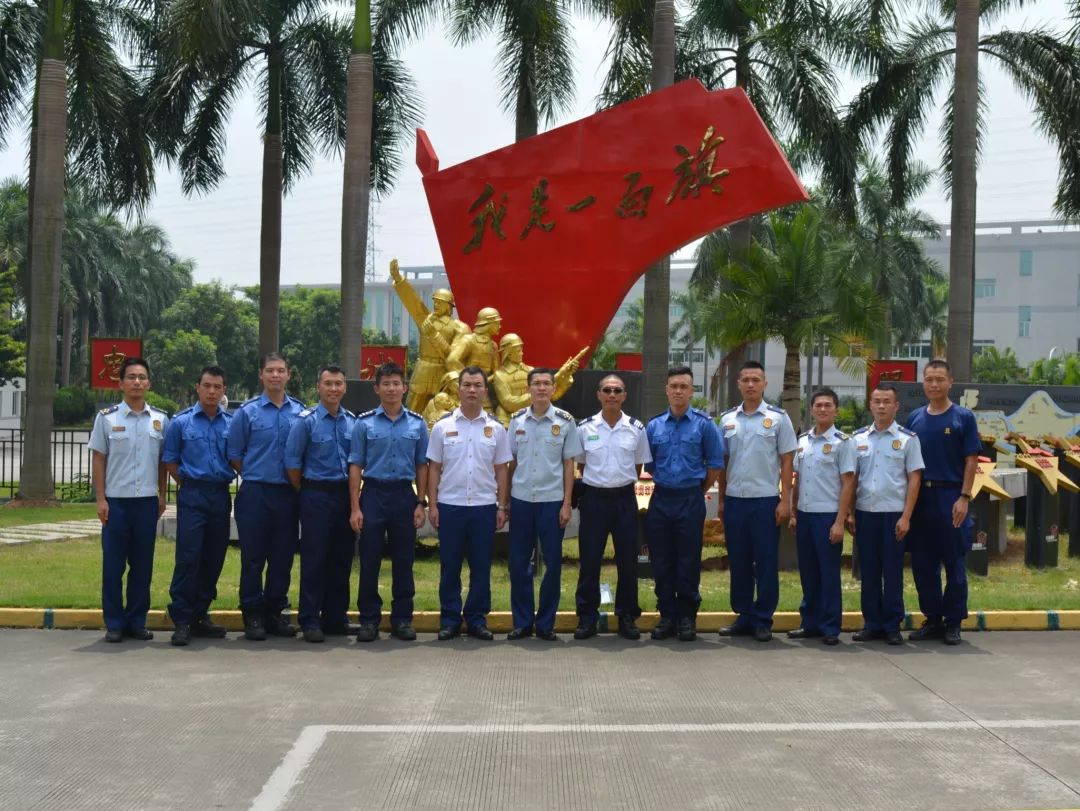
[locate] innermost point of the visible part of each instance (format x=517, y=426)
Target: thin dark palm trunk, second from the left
x=271, y=227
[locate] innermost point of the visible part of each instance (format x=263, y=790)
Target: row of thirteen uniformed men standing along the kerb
x=320, y=480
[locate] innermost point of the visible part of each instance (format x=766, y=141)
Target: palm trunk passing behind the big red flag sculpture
x=658, y=278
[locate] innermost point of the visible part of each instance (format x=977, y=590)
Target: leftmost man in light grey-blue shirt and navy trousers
x=127, y=444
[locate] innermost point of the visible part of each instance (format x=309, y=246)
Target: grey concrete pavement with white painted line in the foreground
x=605, y=724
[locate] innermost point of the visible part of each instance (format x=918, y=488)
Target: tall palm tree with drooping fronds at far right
x=1045, y=67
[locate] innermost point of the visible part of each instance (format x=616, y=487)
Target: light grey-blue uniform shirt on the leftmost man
x=133, y=443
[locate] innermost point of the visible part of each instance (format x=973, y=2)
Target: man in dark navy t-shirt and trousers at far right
x=949, y=436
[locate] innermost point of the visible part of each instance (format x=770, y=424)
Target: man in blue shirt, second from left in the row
x=195, y=456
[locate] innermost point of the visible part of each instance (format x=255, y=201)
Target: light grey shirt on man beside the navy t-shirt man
x=885, y=458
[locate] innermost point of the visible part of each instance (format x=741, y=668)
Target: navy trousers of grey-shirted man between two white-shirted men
x=532, y=522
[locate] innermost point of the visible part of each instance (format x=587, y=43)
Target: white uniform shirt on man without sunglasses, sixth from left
x=468, y=451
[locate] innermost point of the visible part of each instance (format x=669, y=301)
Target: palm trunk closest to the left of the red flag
x=357, y=191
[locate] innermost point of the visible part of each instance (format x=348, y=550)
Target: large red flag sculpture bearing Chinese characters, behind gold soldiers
x=555, y=231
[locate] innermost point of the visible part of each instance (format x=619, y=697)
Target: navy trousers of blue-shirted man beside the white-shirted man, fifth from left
x=388, y=517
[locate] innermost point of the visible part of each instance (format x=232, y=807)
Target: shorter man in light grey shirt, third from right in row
x=825, y=493
